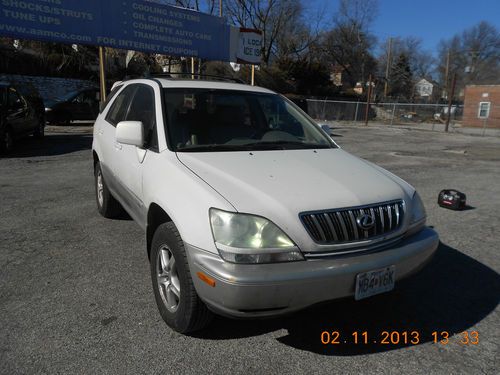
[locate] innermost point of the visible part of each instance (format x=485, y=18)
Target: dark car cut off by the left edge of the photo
x=21, y=113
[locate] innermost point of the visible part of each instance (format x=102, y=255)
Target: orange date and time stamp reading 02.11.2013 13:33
x=398, y=338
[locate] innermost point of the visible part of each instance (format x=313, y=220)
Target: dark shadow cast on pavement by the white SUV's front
x=453, y=293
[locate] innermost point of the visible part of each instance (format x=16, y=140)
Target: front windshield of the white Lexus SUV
x=207, y=120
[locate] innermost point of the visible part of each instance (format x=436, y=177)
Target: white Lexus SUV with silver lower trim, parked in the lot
x=249, y=207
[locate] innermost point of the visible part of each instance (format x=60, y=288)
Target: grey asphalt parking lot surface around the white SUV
x=75, y=293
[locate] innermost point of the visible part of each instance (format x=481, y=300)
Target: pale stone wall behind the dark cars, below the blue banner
x=50, y=88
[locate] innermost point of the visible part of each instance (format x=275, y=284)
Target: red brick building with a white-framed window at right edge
x=482, y=106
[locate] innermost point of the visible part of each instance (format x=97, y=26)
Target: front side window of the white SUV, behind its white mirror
x=142, y=108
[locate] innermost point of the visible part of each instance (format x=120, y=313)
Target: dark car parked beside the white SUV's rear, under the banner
x=77, y=105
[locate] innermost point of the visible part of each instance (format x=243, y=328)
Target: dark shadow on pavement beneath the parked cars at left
x=50, y=145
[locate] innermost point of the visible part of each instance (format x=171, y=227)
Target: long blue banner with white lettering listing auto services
x=126, y=24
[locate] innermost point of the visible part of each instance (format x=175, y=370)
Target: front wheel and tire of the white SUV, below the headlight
x=176, y=298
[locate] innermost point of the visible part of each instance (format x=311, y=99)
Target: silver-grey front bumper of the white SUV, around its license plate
x=243, y=290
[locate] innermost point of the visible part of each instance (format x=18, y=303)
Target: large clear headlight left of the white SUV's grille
x=243, y=238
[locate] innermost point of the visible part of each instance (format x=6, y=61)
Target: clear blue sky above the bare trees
x=430, y=20
